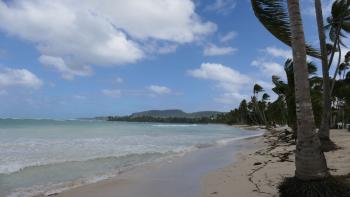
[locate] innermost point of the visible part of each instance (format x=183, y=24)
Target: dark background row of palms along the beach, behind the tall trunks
x=260, y=110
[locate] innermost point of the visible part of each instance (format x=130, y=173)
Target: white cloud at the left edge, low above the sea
x=19, y=78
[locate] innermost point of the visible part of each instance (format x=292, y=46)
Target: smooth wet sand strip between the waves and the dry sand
x=175, y=176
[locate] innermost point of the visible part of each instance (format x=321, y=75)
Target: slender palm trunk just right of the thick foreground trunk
x=324, y=128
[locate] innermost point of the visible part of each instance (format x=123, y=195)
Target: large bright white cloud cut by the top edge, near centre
x=166, y=20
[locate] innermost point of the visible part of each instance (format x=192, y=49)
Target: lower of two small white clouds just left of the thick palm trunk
x=269, y=68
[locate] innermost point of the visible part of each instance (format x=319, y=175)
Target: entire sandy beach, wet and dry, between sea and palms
x=254, y=171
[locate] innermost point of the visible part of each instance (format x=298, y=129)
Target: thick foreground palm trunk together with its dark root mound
x=311, y=165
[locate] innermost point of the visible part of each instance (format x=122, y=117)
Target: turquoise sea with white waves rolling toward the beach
x=50, y=155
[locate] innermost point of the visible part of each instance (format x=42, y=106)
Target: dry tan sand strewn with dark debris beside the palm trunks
x=258, y=171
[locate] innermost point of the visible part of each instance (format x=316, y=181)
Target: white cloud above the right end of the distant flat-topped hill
x=230, y=81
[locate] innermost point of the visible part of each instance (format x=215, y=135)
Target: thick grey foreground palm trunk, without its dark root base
x=309, y=159
